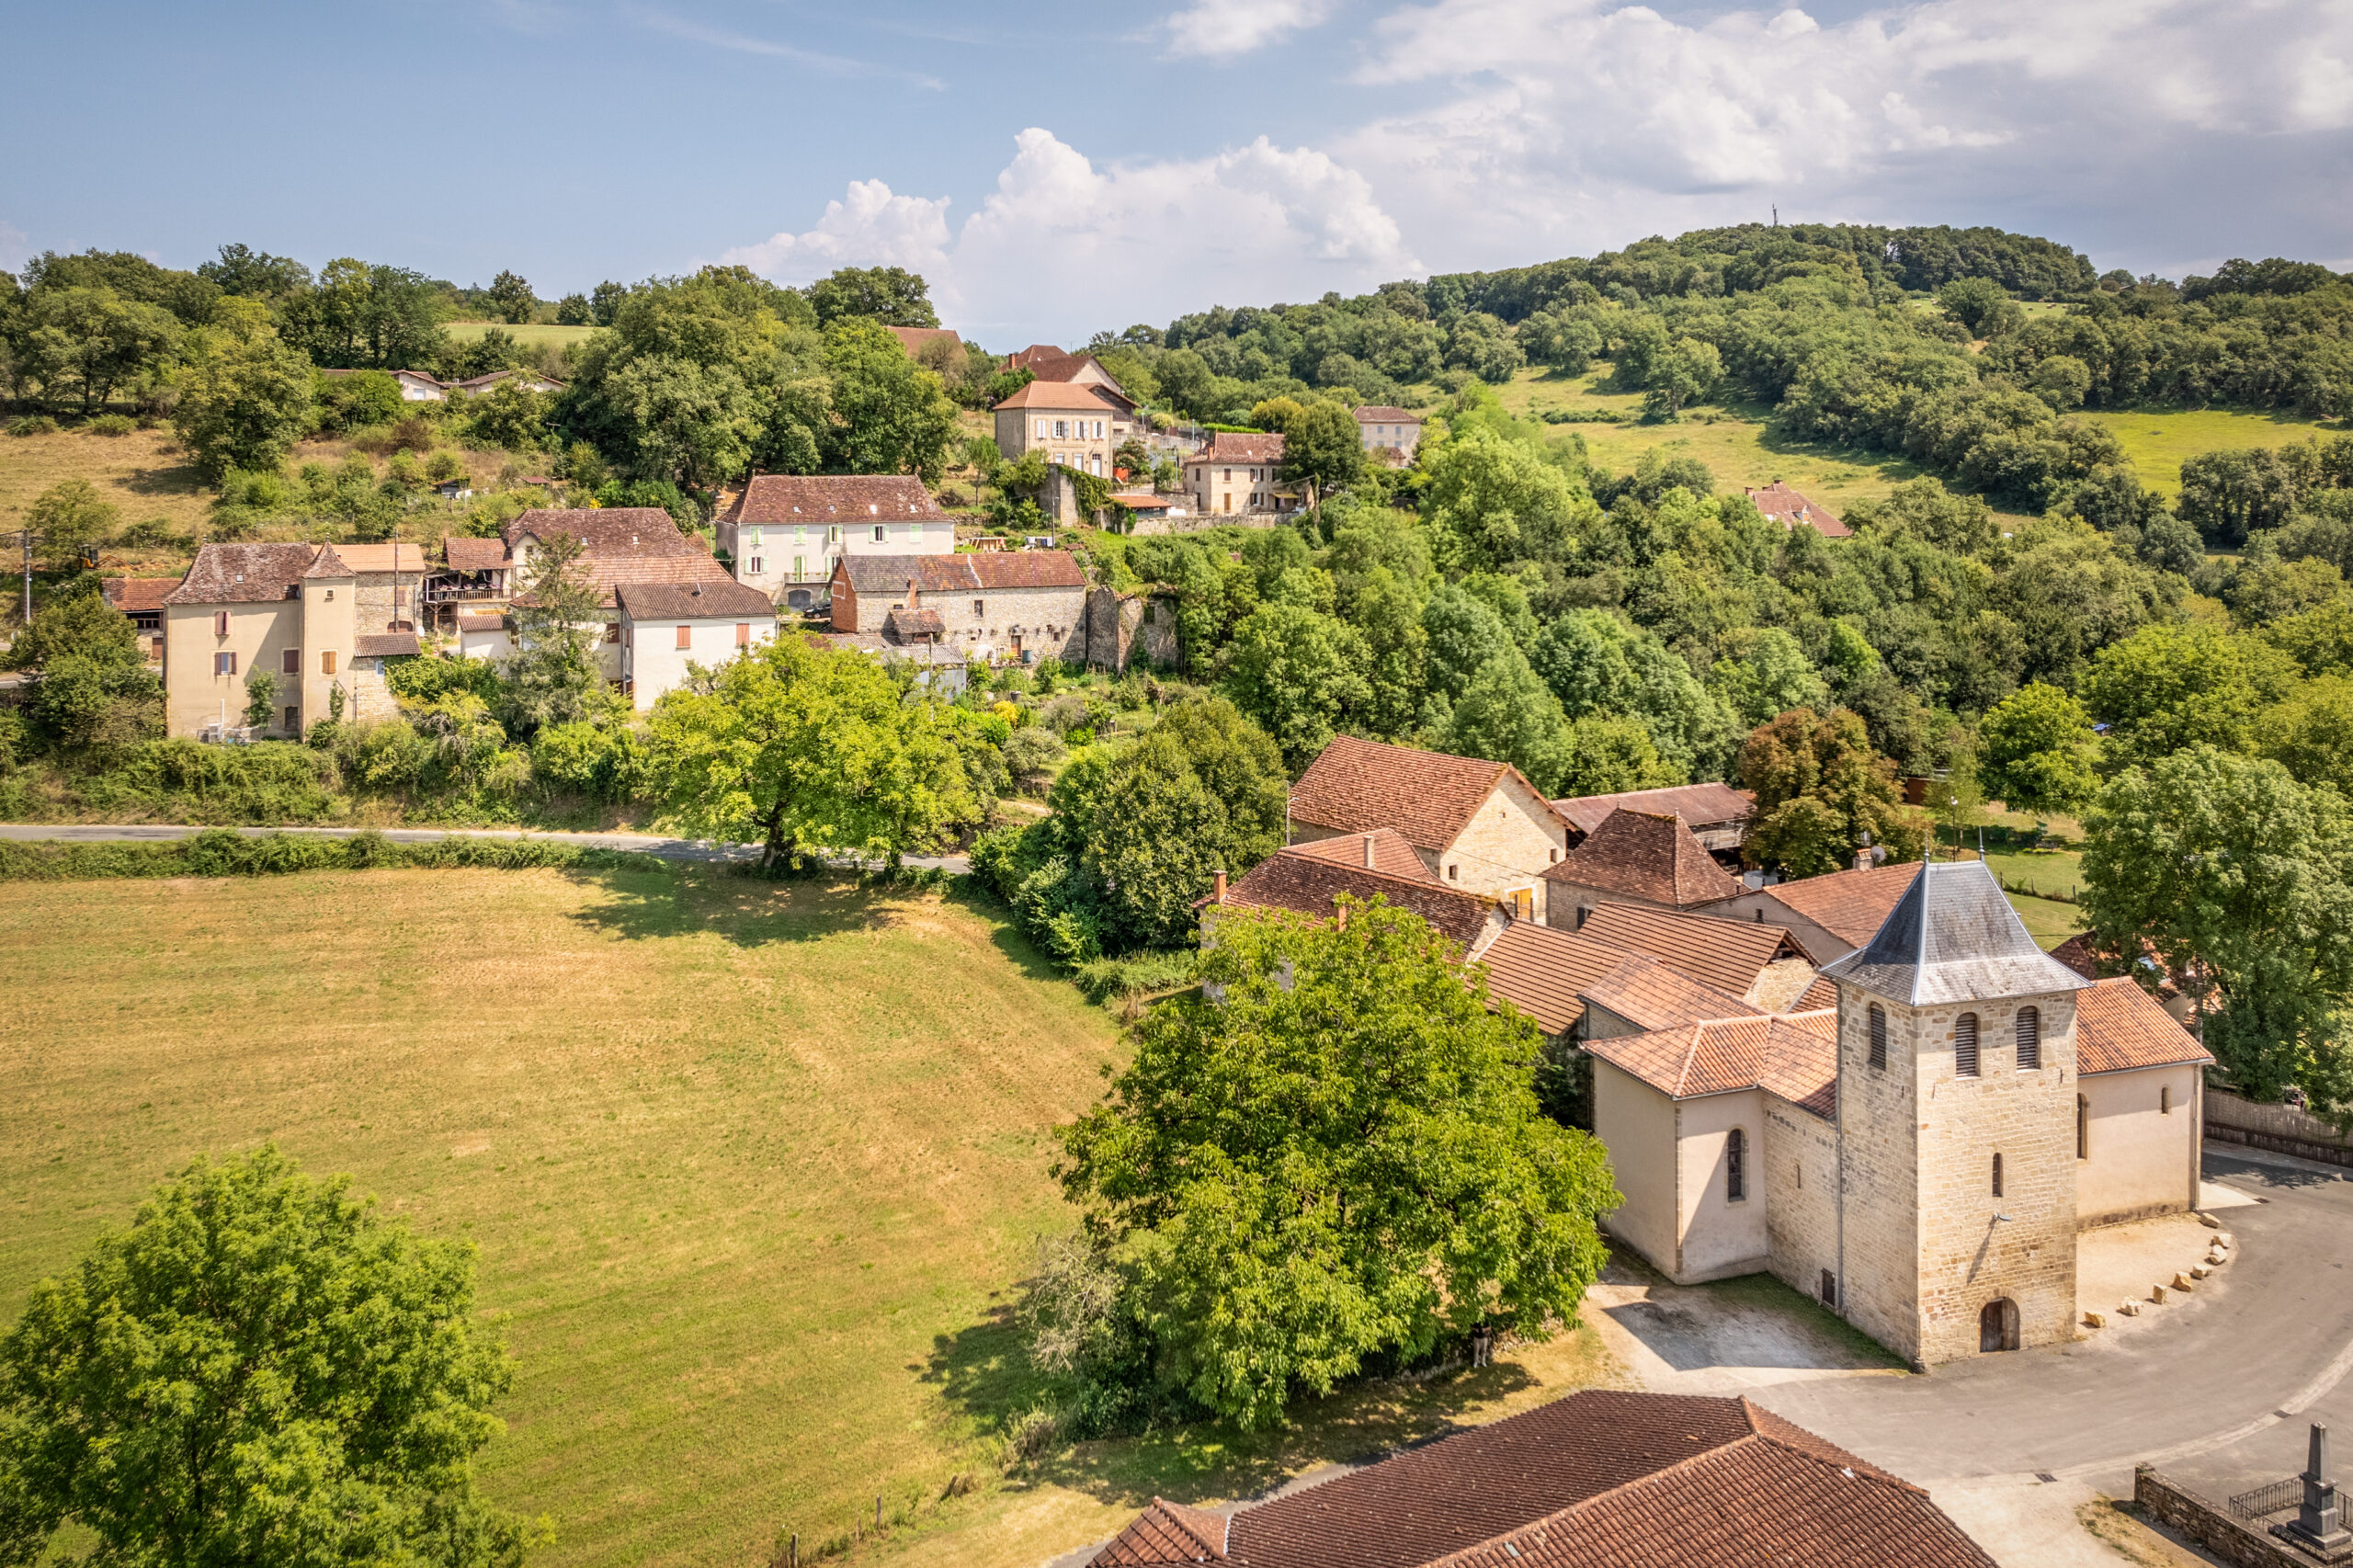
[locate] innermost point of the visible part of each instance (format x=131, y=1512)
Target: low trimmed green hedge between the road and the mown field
x=225, y=853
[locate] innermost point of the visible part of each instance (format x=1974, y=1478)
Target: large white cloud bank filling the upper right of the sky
x=1578, y=124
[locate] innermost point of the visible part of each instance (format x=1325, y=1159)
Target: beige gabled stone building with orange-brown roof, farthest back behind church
x=1477, y=825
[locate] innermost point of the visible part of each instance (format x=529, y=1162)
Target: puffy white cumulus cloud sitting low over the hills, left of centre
x=1069, y=248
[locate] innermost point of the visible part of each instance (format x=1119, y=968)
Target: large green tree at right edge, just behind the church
x=2239, y=882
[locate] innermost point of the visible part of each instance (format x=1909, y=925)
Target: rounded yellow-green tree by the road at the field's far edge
x=806, y=750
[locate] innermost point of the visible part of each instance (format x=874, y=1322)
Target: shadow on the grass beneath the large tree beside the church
x=985, y=1374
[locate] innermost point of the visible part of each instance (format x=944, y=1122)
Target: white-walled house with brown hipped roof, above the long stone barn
x=787, y=531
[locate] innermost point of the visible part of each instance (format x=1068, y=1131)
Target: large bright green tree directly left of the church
x=1340, y=1160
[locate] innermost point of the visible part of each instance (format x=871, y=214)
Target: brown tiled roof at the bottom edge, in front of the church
x=1599, y=1480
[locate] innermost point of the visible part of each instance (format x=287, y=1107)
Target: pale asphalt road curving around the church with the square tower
x=2218, y=1393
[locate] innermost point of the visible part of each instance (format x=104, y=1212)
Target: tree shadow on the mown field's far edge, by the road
x=745, y=910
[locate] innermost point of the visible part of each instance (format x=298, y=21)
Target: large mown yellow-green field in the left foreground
x=754, y=1174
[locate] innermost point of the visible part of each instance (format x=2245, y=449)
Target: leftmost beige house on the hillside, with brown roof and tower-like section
x=300, y=613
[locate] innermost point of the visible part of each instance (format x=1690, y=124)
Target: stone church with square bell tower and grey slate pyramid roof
x=1924, y=1155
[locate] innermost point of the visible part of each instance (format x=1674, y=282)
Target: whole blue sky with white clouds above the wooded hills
x=1060, y=168
